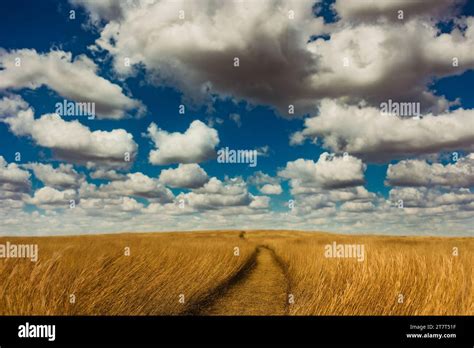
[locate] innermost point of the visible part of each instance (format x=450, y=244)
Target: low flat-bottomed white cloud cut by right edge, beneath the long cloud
x=421, y=173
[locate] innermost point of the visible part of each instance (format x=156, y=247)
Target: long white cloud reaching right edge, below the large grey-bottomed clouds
x=365, y=132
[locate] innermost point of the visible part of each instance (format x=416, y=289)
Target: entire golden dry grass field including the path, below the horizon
x=275, y=273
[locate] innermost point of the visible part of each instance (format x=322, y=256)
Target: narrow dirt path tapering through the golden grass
x=262, y=290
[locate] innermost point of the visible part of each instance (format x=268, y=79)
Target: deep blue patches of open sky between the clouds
x=45, y=25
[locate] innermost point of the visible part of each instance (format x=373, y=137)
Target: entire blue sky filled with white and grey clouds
x=301, y=82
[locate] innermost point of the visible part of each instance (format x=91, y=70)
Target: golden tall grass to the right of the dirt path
x=423, y=270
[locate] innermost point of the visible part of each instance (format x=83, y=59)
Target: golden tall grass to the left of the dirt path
x=104, y=281
